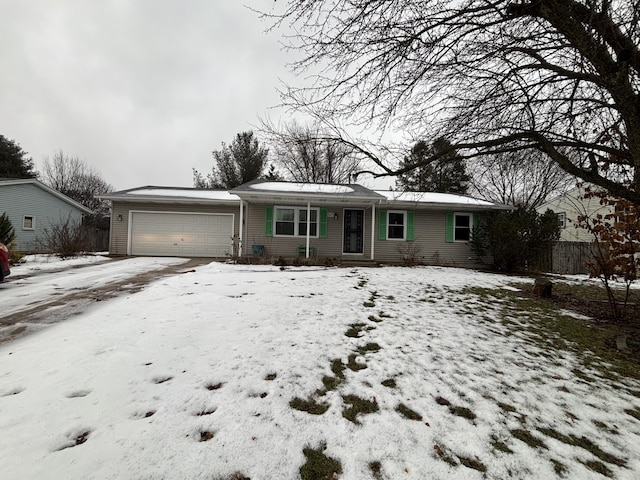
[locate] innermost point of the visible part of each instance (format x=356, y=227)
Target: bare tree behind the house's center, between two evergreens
x=310, y=155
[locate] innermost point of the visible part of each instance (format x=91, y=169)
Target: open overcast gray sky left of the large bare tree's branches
x=143, y=90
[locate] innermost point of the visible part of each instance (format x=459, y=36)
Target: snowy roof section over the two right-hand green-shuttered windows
x=439, y=200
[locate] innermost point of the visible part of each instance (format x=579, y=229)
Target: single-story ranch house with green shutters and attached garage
x=345, y=222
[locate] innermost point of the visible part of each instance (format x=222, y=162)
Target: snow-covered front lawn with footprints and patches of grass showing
x=195, y=377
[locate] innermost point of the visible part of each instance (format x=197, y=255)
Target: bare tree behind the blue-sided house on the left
x=76, y=179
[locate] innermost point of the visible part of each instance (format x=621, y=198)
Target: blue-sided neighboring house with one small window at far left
x=33, y=207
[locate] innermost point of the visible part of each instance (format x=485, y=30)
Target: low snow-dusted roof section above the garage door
x=152, y=194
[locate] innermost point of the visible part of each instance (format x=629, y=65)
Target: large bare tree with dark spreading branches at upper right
x=561, y=77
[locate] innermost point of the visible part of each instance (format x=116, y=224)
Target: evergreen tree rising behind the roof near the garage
x=242, y=161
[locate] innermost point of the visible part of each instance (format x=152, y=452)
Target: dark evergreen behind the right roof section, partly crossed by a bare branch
x=448, y=174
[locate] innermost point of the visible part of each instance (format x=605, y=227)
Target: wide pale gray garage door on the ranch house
x=181, y=234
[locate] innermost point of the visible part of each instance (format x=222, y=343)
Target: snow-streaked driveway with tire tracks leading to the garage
x=30, y=300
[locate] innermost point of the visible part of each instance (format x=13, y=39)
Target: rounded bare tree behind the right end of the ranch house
x=524, y=179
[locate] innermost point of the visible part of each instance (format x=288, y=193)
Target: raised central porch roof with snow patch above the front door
x=306, y=192
